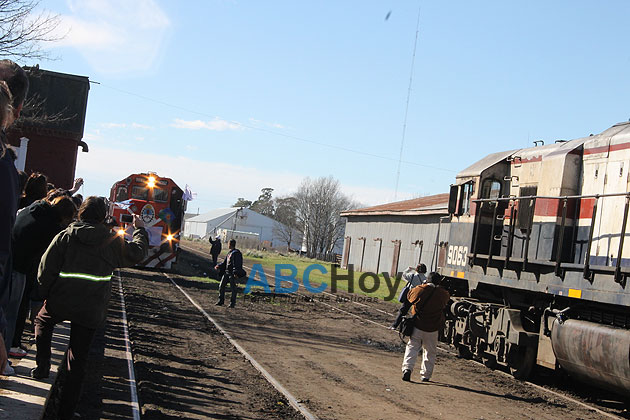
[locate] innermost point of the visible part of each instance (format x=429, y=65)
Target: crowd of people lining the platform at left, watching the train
x=57, y=257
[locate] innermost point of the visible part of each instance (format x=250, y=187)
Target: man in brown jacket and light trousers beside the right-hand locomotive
x=428, y=303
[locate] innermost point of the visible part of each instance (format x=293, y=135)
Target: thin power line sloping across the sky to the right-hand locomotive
x=273, y=132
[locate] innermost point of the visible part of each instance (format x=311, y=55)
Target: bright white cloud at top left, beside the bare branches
x=115, y=36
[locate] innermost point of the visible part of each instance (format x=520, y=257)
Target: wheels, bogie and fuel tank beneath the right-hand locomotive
x=519, y=330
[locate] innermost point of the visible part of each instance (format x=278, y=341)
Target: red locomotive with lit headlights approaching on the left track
x=159, y=203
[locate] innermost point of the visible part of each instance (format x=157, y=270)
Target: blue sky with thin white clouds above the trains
x=231, y=96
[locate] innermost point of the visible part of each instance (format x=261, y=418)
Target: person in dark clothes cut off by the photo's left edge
x=13, y=89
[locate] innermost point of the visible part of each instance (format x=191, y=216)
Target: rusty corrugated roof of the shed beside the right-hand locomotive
x=432, y=204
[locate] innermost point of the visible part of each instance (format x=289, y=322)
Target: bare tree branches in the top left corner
x=23, y=31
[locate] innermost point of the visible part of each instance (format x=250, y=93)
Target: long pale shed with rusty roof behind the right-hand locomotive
x=391, y=237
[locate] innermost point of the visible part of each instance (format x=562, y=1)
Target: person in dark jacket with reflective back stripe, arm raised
x=75, y=280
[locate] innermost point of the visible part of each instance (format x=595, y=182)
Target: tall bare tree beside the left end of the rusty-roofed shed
x=319, y=203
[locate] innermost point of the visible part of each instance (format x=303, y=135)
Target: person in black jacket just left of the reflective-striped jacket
x=34, y=229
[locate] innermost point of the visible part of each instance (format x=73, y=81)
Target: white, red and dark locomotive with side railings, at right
x=536, y=259
